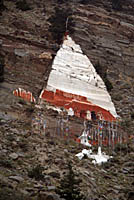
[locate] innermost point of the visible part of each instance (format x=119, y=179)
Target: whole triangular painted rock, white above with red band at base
x=74, y=83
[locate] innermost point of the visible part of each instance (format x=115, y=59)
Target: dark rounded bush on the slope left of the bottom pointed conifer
x=36, y=172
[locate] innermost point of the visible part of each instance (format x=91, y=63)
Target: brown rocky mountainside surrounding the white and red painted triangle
x=106, y=36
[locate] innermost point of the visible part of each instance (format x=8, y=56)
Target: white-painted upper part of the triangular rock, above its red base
x=73, y=72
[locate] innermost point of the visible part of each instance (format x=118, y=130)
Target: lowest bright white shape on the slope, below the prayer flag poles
x=98, y=158
